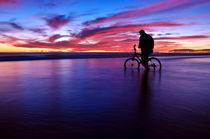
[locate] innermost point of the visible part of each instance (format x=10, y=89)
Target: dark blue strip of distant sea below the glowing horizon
x=77, y=55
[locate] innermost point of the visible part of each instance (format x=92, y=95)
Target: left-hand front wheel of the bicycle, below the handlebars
x=131, y=63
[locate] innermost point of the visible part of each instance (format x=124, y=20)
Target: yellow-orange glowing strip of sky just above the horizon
x=7, y=48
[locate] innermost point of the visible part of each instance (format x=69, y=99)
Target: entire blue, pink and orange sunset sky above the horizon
x=103, y=25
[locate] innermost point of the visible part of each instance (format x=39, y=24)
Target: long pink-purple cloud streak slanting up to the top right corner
x=162, y=6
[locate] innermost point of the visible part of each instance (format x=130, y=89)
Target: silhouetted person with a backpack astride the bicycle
x=146, y=43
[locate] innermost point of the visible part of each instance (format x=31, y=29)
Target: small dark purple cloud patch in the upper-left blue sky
x=57, y=21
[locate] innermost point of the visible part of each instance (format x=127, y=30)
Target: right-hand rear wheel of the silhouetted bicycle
x=154, y=64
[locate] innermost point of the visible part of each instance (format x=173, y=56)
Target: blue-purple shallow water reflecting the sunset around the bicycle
x=95, y=98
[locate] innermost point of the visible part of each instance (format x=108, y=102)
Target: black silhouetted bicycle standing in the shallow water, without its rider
x=136, y=61
